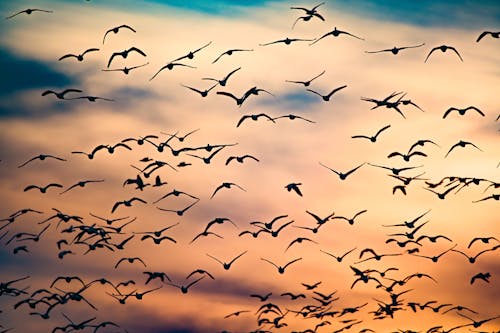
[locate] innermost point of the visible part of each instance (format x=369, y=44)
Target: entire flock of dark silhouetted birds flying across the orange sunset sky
x=311, y=303
